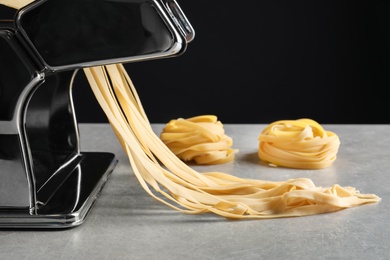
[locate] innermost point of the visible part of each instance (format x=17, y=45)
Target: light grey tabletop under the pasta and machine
x=126, y=223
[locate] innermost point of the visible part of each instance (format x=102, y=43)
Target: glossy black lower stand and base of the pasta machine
x=45, y=181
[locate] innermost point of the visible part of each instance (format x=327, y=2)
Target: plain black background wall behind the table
x=255, y=61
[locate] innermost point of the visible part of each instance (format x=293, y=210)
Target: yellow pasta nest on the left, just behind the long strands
x=201, y=139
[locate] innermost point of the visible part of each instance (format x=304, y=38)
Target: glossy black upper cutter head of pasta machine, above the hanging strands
x=77, y=33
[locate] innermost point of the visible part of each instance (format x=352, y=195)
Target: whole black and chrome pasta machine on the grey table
x=45, y=180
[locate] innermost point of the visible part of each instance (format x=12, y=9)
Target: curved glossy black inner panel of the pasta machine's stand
x=50, y=126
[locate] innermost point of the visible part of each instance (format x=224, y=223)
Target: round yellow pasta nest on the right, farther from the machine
x=301, y=143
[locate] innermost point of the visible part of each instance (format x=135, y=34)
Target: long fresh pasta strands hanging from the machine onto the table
x=189, y=191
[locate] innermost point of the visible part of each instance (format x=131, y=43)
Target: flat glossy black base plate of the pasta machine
x=70, y=204
